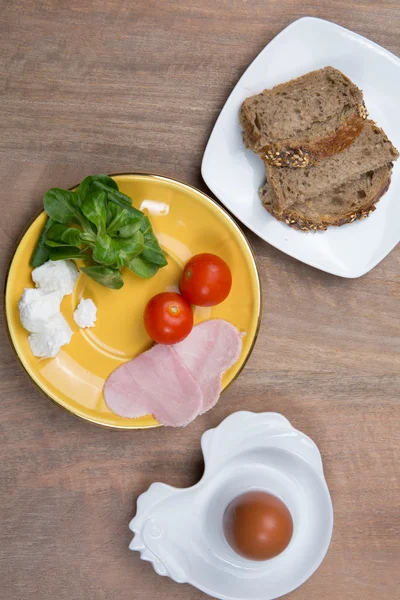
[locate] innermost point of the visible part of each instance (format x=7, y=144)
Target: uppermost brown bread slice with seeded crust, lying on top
x=297, y=123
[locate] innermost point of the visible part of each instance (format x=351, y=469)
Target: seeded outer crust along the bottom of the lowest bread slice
x=306, y=225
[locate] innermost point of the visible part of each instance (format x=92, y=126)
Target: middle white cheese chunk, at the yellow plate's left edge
x=37, y=307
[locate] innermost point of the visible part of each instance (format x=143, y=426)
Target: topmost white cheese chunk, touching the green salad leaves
x=56, y=275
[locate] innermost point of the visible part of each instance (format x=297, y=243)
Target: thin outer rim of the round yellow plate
x=208, y=199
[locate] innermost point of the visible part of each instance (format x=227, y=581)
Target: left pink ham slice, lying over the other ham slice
x=155, y=382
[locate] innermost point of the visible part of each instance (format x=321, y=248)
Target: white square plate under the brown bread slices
x=234, y=174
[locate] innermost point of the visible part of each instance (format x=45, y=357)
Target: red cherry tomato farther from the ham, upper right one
x=206, y=280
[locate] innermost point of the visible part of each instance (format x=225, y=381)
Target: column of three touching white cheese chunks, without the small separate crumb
x=40, y=307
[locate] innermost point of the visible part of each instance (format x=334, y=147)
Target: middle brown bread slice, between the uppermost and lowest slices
x=371, y=150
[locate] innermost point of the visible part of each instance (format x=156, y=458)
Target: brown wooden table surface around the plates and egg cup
x=116, y=85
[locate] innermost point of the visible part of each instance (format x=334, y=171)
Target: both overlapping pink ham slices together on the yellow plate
x=176, y=383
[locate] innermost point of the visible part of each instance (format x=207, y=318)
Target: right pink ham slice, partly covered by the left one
x=210, y=350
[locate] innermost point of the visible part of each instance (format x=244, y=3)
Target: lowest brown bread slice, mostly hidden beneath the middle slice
x=354, y=199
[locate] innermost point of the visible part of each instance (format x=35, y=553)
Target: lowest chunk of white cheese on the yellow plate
x=47, y=342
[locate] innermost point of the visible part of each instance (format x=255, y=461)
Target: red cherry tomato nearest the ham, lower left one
x=168, y=318
